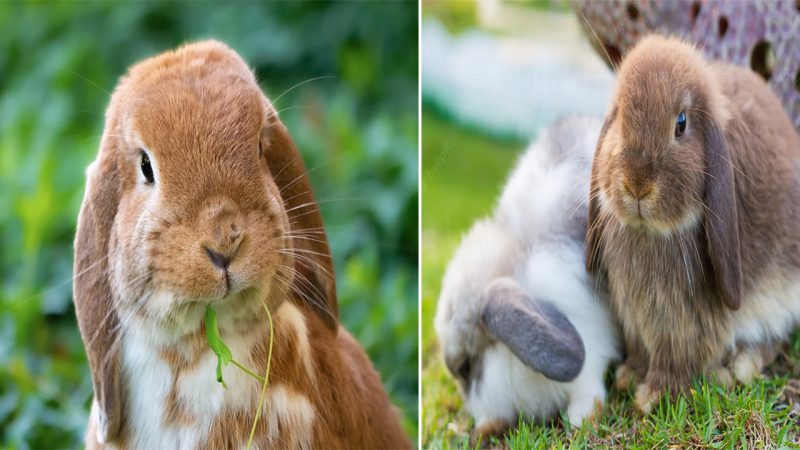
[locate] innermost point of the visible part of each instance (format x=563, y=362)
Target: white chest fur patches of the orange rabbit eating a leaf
x=153, y=389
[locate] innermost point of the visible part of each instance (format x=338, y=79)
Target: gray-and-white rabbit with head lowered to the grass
x=523, y=327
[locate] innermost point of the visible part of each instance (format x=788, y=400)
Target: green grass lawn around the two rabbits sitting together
x=462, y=174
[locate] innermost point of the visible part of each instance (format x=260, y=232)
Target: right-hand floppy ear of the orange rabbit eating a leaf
x=314, y=281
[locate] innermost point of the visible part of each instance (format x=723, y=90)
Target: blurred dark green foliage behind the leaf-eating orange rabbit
x=357, y=131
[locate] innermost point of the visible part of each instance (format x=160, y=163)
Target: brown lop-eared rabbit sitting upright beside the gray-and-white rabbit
x=695, y=218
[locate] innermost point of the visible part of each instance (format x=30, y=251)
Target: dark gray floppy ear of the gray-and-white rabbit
x=536, y=332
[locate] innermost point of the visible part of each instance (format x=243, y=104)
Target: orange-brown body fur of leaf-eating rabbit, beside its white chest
x=350, y=418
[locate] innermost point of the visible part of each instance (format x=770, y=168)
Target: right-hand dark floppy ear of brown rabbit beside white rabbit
x=721, y=219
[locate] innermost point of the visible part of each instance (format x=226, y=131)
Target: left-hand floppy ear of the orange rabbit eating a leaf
x=97, y=318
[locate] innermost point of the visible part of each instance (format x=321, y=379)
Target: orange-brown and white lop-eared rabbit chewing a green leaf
x=198, y=197
